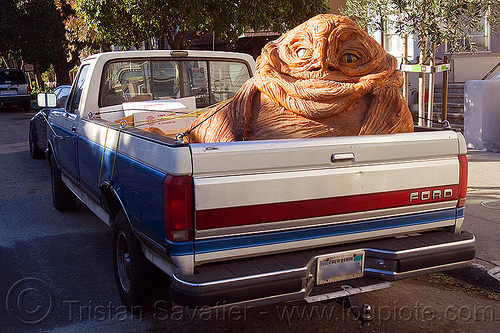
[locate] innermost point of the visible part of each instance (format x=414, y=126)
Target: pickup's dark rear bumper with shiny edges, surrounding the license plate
x=292, y=276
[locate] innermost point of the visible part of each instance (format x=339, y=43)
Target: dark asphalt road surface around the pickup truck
x=56, y=275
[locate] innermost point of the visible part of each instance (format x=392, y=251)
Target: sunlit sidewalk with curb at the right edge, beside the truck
x=482, y=218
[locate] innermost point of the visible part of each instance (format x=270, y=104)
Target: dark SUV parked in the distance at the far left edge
x=14, y=88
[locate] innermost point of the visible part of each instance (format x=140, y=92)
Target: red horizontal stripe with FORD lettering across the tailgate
x=282, y=211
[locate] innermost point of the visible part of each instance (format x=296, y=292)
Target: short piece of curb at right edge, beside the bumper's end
x=481, y=273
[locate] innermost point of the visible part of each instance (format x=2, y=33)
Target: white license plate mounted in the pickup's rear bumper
x=340, y=266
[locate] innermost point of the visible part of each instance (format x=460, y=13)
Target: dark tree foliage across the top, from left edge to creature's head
x=45, y=32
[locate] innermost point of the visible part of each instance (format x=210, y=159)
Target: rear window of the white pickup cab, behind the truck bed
x=209, y=81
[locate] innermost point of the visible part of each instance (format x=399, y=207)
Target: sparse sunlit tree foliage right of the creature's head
x=434, y=22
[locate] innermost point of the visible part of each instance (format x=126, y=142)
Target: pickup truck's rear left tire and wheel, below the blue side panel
x=130, y=266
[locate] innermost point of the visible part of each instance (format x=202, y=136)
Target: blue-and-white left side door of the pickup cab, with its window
x=66, y=125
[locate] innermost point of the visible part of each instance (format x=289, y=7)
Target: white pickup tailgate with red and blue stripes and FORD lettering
x=266, y=197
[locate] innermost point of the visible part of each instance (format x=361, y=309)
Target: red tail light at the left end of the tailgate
x=178, y=205
